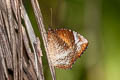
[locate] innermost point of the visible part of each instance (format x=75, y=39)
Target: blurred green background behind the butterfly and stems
x=99, y=22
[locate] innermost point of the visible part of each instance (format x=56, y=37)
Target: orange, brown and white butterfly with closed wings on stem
x=64, y=47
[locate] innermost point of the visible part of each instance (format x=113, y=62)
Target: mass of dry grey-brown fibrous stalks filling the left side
x=17, y=60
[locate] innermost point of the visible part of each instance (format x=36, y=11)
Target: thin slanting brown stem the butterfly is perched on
x=39, y=19
